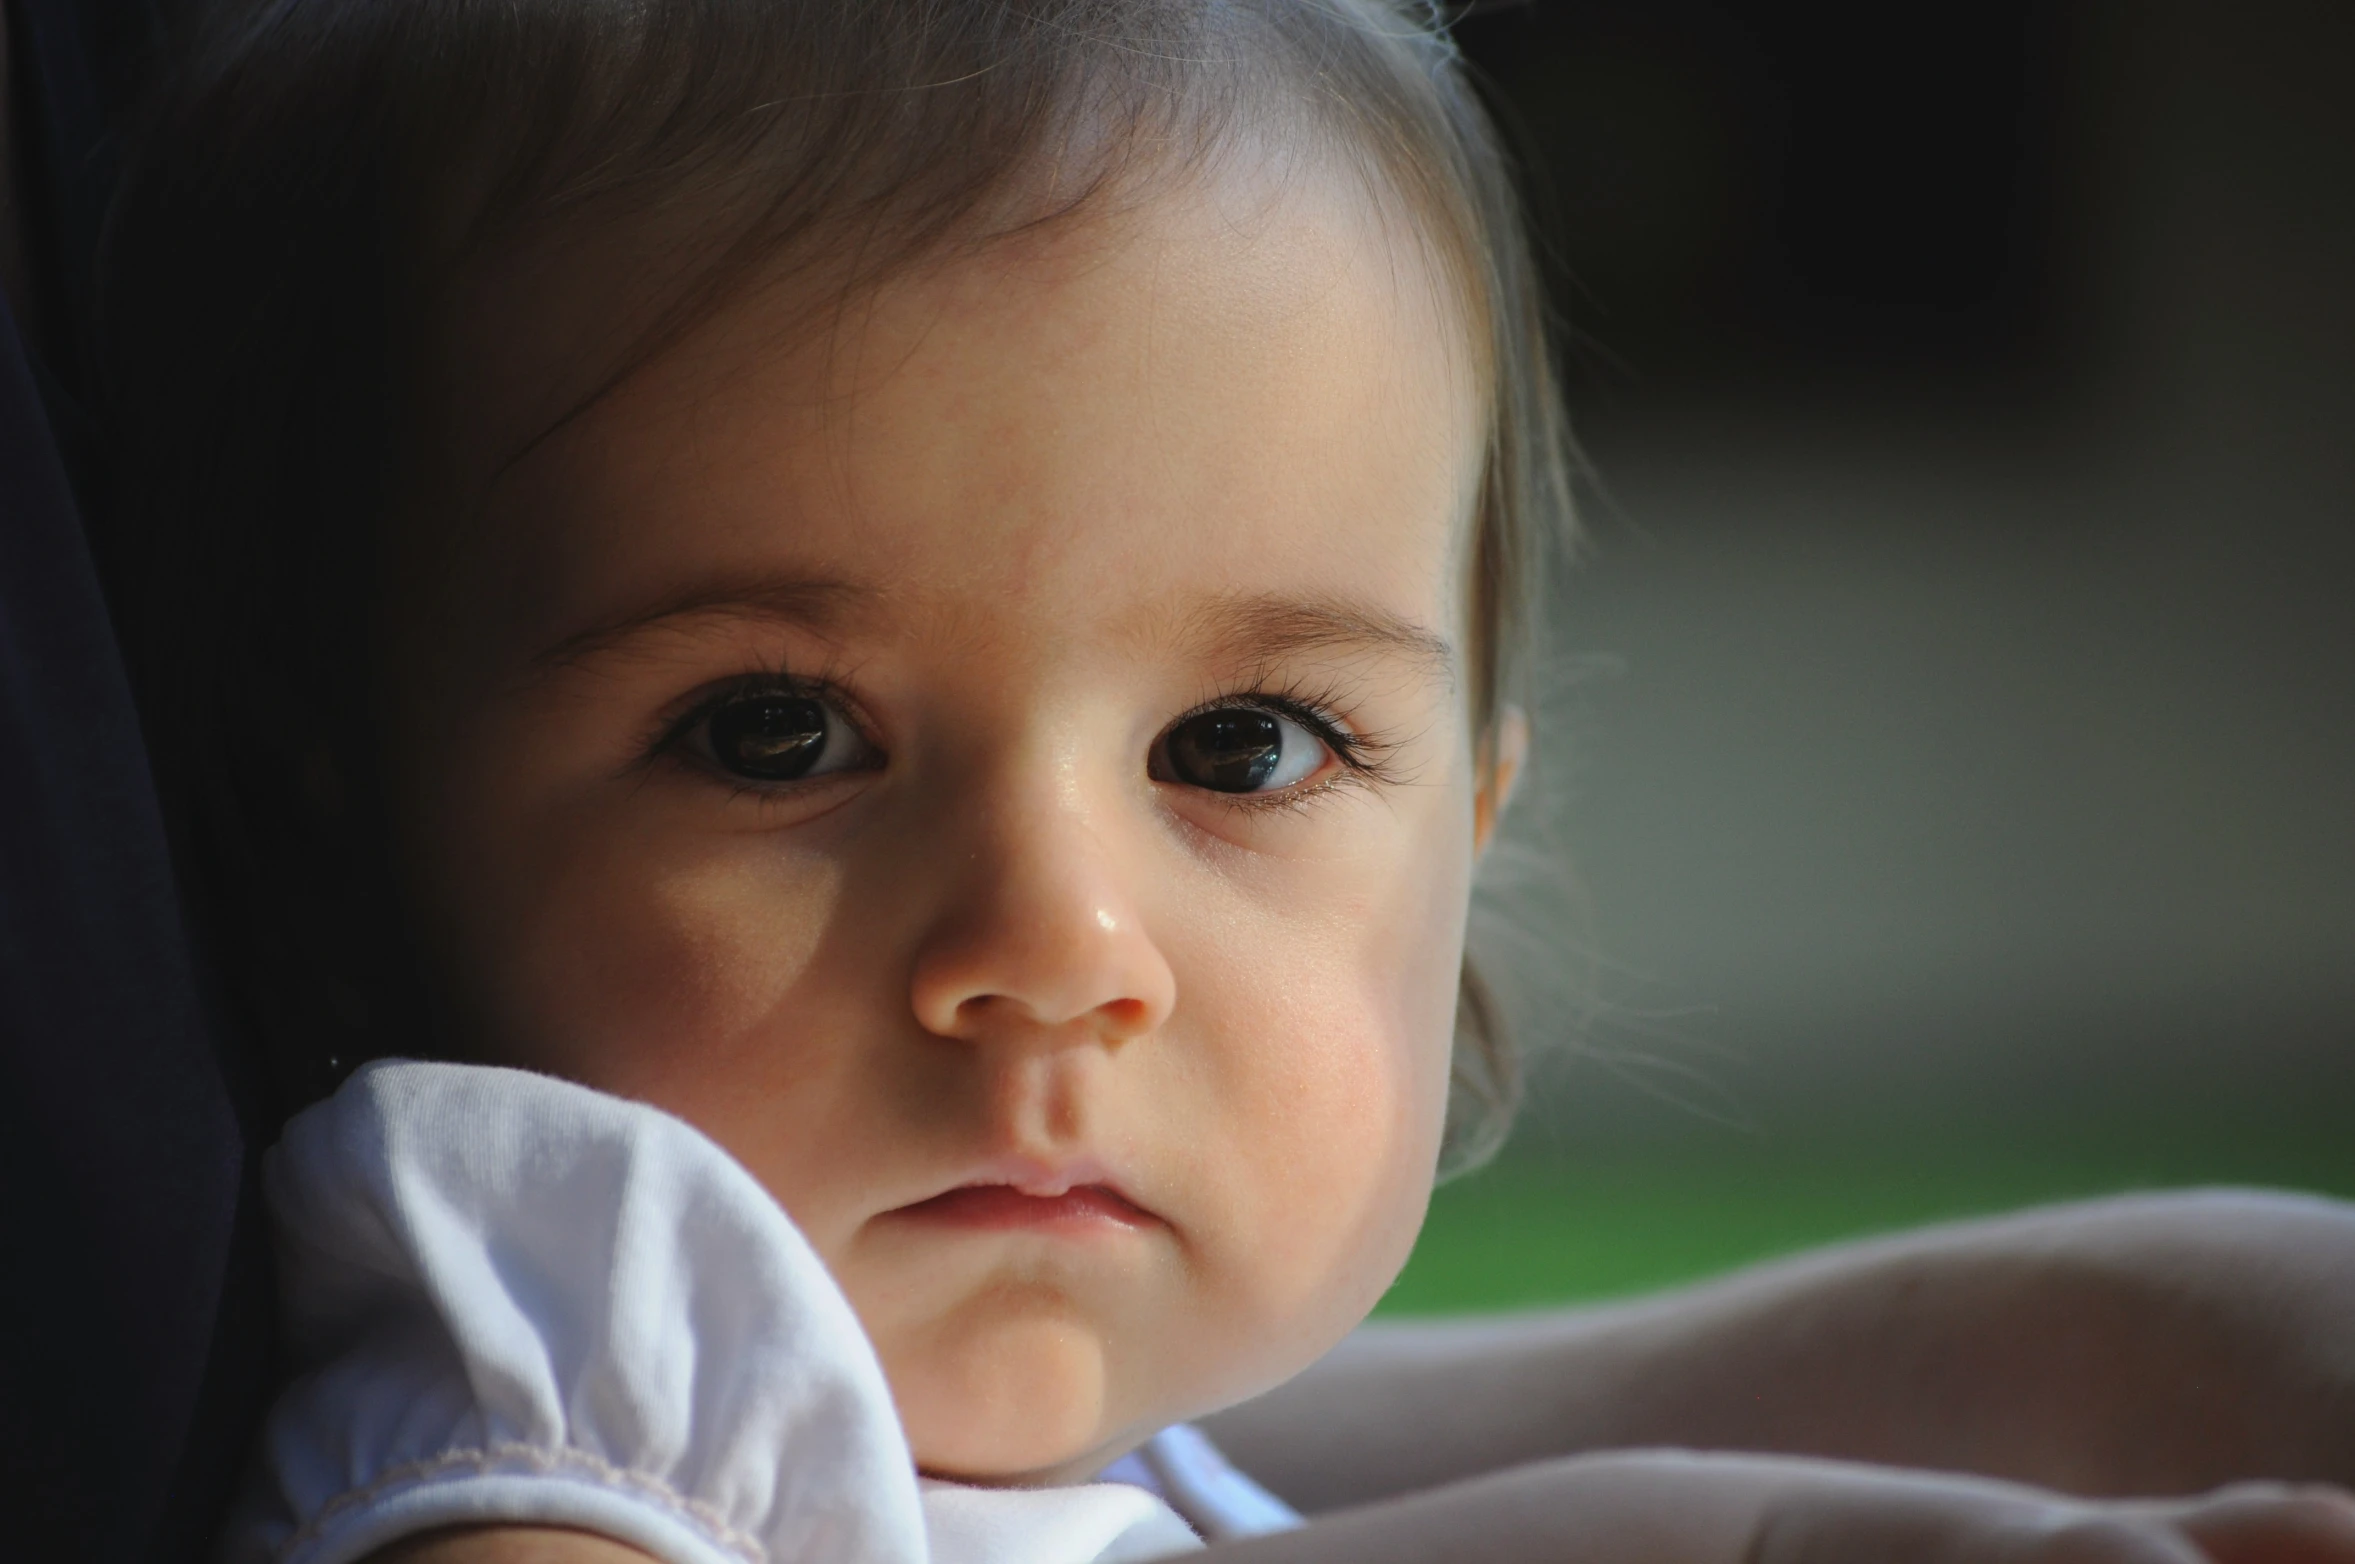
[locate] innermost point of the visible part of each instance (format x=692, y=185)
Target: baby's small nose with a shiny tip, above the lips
x=1040, y=936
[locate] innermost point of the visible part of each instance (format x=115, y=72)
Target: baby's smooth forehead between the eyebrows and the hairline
x=1254, y=385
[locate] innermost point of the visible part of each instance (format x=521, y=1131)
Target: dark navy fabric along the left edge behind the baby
x=135, y=1313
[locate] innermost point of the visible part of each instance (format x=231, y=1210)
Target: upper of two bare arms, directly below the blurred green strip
x=2135, y=1346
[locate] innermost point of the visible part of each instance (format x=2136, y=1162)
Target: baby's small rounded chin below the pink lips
x=1009, y=1400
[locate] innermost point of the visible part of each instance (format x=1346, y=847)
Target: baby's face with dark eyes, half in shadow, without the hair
x=1000, y=771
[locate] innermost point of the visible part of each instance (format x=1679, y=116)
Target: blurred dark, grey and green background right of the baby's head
x=1949, y=764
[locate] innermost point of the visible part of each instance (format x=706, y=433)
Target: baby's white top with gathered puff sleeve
x=515, y=1299
